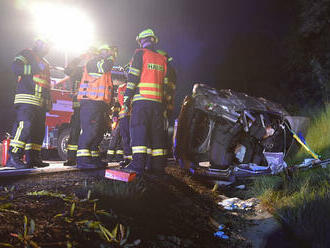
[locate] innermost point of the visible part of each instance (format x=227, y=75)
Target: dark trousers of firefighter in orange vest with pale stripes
x=92, y=120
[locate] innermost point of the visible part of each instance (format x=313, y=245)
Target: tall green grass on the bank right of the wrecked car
x=302, y=203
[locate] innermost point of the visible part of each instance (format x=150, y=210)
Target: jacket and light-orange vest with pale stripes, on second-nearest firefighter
x=96, y=83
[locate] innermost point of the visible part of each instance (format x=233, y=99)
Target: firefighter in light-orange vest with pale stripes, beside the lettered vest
x=95, y=96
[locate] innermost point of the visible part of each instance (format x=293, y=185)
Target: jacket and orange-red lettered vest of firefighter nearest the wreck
x=150, y=77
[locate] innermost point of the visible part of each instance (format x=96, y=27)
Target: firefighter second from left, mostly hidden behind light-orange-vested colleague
x=75, y=70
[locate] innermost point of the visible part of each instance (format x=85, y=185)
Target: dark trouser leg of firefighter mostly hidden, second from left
x=74, y=134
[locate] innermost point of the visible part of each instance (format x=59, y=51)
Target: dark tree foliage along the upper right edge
x=308, y=63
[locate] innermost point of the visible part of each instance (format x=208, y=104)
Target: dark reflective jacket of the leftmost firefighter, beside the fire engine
x=33, y=77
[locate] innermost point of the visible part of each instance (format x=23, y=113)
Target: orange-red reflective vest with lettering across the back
x=154, y=69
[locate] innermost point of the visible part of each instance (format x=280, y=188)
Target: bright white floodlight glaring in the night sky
x=68, y=28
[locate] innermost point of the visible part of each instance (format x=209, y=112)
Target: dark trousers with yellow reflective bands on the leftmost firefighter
x=28, y=131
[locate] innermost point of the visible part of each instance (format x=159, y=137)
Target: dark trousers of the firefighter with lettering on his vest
x=147, y=131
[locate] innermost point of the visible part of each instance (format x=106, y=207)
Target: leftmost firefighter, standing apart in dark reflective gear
x=32, y=101
